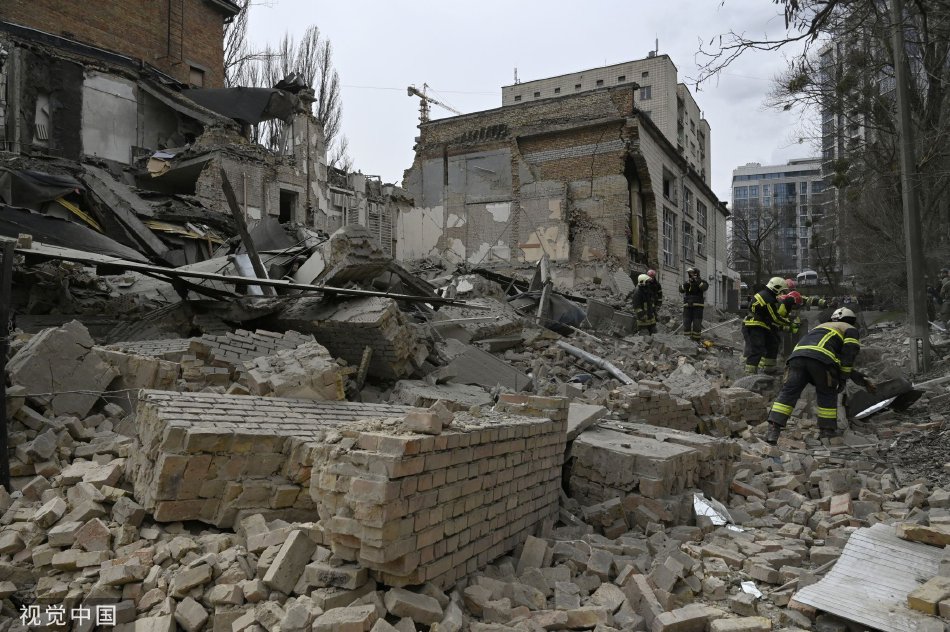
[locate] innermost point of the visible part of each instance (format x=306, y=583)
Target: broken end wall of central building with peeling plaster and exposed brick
x=519, y=182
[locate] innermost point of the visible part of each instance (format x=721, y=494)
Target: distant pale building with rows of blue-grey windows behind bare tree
x=775, y=209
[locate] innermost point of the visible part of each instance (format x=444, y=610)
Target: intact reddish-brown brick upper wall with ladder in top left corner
x=136, y=28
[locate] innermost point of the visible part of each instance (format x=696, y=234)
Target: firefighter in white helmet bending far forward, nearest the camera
x=825, y=358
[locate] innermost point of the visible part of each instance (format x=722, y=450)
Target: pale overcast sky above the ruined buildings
x=466, y=53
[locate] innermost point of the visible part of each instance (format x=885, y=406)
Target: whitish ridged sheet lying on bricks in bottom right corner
x=871, y=580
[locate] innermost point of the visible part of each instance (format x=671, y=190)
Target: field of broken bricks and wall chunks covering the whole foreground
x=363, y=462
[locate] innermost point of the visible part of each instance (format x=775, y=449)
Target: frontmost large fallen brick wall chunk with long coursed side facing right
x=417, y=508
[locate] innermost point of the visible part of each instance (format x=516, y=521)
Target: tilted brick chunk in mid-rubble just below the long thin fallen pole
x=346, y=328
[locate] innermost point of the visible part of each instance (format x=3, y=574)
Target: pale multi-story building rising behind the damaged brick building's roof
x=660, y=96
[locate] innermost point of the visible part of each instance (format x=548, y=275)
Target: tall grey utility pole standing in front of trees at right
x=916, y=299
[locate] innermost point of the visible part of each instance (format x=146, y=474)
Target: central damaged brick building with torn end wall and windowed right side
x=591, y=179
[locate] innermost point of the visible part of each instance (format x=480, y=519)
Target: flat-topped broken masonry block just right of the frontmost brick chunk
x=633, y=462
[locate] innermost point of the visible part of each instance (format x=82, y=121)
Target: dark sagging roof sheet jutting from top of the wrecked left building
x=246, y=105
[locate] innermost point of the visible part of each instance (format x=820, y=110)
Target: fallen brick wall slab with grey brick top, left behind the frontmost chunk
x=211, y=457
